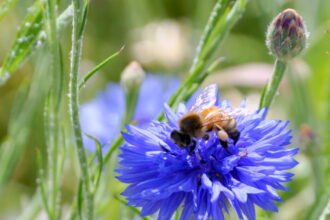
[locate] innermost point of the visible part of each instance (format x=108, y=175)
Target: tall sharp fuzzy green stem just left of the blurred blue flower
x=79, y=20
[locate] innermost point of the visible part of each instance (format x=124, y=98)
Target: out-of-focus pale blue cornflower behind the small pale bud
x=102, y=116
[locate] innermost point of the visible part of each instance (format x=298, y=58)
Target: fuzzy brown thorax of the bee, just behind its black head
x=191, y=124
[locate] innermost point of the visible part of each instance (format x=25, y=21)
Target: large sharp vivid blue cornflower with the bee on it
x=208, y=179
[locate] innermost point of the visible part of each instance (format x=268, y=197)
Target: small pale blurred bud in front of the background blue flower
x=132, y=76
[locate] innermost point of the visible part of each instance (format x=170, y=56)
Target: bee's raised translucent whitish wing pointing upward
x=208, y=97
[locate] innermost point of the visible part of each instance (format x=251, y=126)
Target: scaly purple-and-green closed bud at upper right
x=286, y=35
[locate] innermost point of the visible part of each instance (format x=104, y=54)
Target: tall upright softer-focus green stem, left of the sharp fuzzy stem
x=53, y=106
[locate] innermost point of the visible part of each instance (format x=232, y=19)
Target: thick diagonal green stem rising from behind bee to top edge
x=222, y=19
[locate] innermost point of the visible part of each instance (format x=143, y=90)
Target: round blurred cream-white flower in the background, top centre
x=163, y=43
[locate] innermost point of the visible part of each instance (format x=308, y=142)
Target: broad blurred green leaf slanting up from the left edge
x=21, y=120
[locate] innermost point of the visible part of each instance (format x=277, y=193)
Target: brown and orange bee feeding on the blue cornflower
x=204, y=117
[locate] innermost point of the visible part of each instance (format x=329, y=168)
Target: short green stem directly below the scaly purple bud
x=272, y=87
